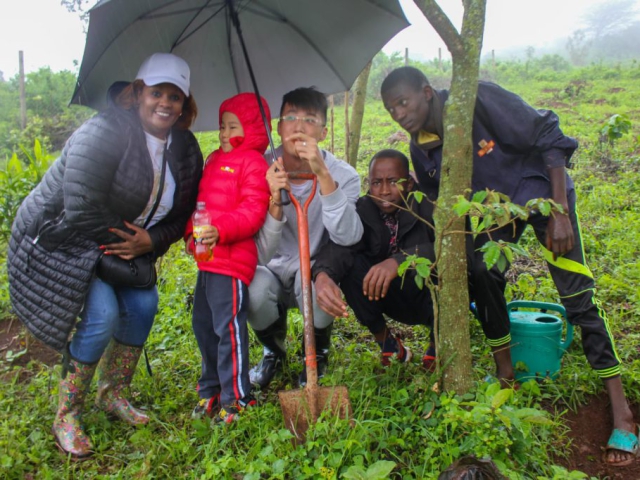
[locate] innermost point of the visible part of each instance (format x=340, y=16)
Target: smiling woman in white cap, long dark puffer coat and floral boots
x=99, y=198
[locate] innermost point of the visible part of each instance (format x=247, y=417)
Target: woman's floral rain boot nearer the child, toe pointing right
x=114, y=375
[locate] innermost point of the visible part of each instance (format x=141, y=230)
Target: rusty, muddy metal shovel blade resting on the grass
x=302, y=407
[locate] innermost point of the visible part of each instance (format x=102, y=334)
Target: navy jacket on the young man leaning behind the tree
x=513, y=145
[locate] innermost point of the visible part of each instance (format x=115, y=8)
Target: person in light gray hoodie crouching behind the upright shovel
x=332, y=215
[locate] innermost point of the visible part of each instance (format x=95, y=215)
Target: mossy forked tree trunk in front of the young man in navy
x=452, y=298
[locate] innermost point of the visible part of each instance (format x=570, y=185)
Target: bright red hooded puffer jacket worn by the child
x=235, y=191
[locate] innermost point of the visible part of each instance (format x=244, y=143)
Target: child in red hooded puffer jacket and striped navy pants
x=236, y=194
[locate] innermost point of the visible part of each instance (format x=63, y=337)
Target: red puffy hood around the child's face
x=245, y=107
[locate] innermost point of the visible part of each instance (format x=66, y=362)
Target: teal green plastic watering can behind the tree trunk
x=536, y=339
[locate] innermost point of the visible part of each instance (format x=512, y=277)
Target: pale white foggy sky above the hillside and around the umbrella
x=50, y=36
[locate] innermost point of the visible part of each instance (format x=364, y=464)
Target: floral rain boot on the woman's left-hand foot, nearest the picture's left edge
x=67, y=427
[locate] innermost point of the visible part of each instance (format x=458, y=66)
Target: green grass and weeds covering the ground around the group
x=399, y=415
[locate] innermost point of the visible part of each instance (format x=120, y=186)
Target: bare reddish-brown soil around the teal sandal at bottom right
x=590, y=430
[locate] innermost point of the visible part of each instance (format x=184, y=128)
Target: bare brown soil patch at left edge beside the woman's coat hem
x=18, y=348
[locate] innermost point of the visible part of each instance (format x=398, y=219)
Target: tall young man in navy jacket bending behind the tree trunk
x=521, y=152
